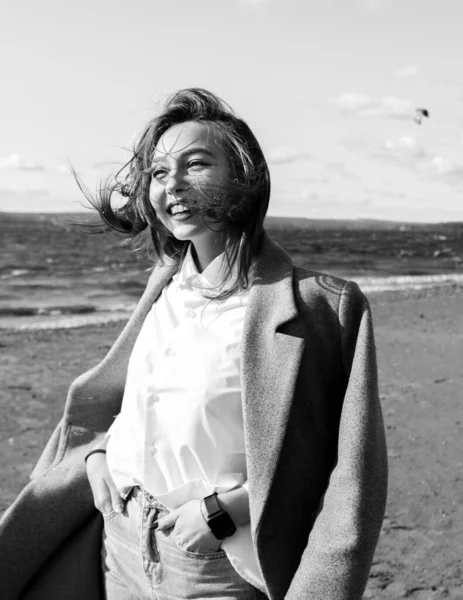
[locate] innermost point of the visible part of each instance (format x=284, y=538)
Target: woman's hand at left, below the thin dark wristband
x=105, y=494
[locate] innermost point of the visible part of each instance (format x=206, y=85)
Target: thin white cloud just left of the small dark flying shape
x=387, y=106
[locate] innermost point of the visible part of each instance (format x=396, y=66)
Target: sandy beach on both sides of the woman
x=420, y=348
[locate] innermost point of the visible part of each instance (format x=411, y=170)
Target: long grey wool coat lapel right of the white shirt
x=270, y=364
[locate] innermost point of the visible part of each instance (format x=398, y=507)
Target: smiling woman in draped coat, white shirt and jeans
x=247, y=456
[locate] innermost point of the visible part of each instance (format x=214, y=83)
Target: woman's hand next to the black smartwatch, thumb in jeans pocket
x=190, y=529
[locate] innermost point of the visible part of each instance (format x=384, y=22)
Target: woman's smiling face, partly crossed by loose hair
x=188, y=162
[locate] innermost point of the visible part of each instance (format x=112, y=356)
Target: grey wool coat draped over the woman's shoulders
x=314, y=436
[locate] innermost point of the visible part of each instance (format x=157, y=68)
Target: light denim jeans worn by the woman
x=140, y=563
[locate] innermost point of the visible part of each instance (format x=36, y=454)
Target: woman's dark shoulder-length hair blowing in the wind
x=240, y=207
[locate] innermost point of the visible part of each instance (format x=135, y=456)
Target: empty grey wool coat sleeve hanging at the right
x=336, y=562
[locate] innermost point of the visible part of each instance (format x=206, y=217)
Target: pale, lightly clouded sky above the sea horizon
x=329, y=87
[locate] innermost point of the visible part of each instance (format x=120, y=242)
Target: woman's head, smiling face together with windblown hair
x=229, y=193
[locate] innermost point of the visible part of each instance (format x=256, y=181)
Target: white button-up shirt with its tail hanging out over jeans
x=180, y=430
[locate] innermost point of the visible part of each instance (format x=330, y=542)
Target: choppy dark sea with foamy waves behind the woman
x=54, y=275
